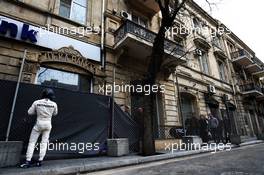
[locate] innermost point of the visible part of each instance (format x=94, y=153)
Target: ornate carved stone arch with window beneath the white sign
x=64, y=68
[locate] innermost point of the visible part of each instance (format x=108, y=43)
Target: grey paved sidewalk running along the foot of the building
x=73, y=166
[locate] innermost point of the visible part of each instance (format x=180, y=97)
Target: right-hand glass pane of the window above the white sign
x=78, y=13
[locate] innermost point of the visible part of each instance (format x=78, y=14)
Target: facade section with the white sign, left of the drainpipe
x=56, y=37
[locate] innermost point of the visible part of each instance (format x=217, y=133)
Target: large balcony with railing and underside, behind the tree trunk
x=134, y=41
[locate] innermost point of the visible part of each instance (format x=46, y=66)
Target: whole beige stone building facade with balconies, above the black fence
x=83, y=45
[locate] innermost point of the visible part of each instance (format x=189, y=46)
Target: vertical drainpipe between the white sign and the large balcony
x=103, y=34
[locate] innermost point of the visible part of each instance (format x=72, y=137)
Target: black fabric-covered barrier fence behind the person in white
x=80, y=128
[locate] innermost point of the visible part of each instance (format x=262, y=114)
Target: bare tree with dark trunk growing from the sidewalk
x=169, y=10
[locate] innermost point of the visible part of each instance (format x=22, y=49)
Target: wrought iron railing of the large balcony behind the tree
x=129, y=27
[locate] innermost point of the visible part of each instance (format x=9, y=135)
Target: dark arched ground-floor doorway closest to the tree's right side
x=189, y=113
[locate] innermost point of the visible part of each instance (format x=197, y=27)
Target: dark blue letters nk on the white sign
x=26, y=33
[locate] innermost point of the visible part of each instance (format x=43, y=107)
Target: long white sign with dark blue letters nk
x=18, y=30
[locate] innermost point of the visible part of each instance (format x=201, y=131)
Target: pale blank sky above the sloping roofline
x=244, y=18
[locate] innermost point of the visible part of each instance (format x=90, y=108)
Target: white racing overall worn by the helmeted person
x=44, y=109
